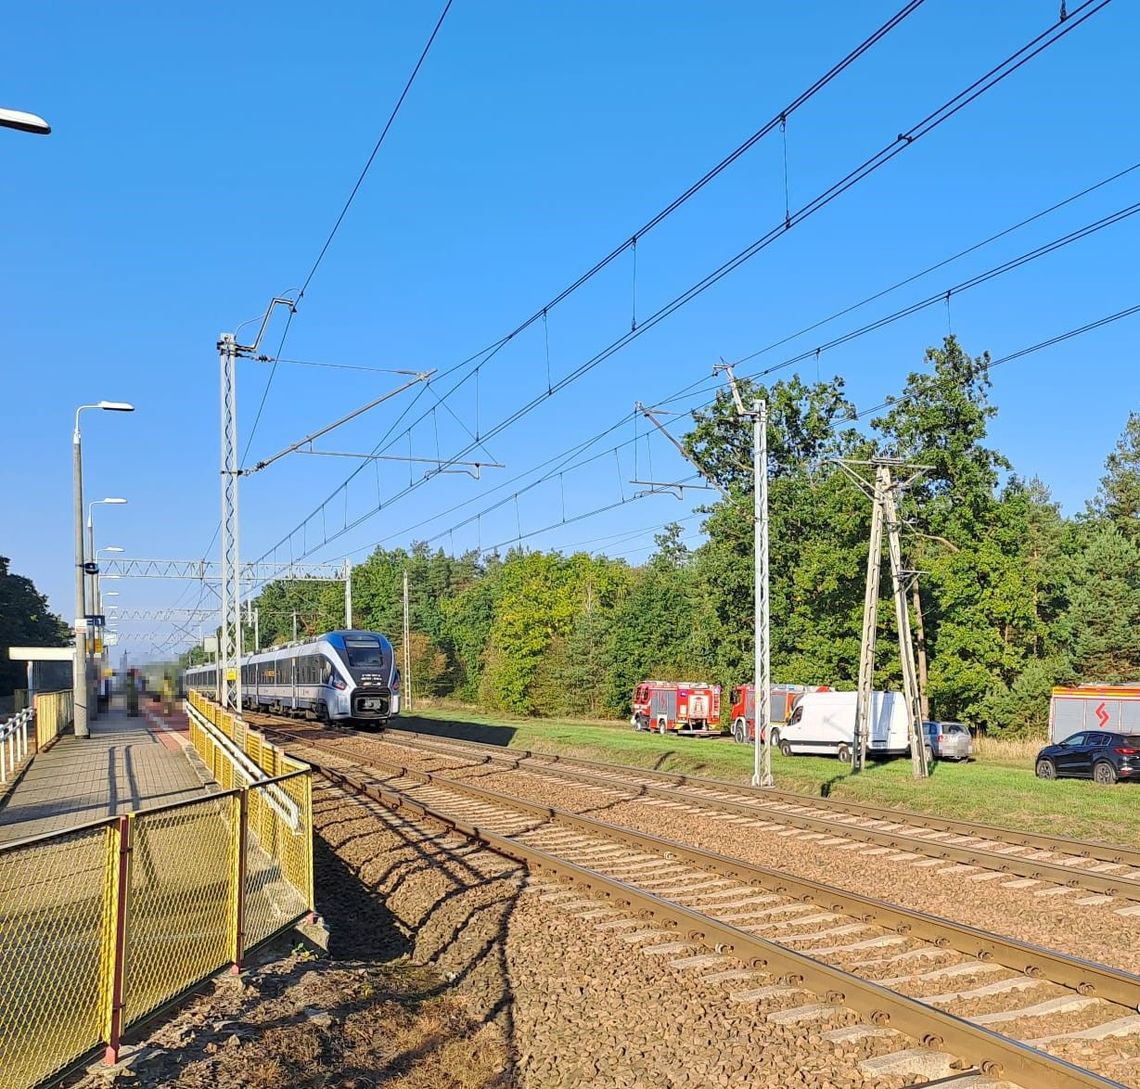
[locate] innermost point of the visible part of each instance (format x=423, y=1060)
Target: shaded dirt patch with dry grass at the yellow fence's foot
x=362, y=1015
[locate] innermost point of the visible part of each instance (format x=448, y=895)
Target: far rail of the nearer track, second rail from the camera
x=1085, y=977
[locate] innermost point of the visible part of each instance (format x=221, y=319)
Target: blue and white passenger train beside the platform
x=345, y=678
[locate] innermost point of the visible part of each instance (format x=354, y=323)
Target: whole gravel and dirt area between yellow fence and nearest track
x=450, y=969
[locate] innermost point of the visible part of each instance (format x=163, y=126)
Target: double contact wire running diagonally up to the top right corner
x=930, y=124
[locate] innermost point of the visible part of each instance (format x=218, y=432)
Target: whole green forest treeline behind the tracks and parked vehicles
x=1013, y=597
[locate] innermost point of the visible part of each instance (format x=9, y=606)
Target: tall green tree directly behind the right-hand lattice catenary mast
x=818, y=537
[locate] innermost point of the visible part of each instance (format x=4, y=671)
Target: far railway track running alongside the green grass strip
x=1101, y=869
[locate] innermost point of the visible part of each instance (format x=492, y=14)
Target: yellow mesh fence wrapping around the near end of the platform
x=108, y=923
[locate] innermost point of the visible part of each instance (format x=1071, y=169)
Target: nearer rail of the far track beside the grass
x=1056, y=873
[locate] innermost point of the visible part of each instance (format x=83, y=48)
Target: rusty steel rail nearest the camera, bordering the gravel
x=992, y=1054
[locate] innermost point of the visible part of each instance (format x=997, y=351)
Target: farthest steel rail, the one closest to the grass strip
x=1084, y=849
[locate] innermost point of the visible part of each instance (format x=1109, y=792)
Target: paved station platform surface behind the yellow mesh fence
x=126, y=765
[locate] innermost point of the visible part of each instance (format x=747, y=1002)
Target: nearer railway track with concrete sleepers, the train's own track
x=974, y=1007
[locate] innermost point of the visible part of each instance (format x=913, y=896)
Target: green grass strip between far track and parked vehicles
x=999, y=789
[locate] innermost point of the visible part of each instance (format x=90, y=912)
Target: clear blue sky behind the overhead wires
x=201, y=153
